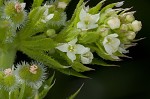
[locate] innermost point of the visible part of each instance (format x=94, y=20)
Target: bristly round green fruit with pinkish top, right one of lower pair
x=33, y=75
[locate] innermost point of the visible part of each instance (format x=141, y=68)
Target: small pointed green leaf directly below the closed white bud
x=80, y=67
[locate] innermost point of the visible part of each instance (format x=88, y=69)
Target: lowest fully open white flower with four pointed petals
x=71, y=48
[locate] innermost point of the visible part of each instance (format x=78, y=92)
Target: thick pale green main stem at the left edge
x=7, y=56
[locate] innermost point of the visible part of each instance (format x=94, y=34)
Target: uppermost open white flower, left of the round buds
x=87, y=21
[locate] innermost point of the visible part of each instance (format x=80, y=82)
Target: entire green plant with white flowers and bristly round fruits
x=45, y=34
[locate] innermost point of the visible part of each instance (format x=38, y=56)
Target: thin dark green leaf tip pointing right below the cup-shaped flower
x=96, y=61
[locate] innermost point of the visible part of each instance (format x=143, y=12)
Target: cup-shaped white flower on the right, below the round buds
x=111, y=44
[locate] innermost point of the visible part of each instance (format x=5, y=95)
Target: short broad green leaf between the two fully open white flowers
x=89, y=37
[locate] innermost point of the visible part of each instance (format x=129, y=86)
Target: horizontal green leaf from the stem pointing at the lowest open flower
x=39, y=44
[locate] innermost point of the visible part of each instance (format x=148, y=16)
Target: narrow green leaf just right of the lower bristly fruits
x=47, y=85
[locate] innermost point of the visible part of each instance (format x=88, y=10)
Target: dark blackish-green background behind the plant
x=129, y=81
